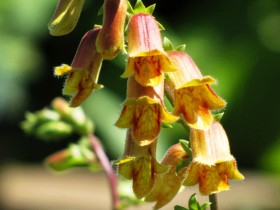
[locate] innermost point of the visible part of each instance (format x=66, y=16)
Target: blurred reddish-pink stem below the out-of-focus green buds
x=106, y=165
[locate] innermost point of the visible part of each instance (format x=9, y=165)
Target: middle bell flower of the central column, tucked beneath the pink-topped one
x=143, y=112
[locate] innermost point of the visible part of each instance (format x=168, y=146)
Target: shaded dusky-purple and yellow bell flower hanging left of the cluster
x=84, y=71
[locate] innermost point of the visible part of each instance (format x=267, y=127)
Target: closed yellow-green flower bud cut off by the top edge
x=65, y=17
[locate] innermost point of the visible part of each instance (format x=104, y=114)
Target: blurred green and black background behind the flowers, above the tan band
x=237, y=42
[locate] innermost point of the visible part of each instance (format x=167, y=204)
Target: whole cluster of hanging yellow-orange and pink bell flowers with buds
x=151, y=72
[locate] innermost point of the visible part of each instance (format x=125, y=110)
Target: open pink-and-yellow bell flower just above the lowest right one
x=192, y=95
